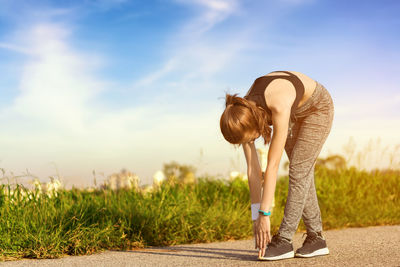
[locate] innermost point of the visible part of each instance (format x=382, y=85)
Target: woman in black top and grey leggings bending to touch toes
x=300, y=110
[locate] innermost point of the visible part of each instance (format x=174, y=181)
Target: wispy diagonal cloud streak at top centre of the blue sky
x=195, y=54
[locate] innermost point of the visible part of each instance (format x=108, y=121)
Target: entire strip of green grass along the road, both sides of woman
x=78, y=222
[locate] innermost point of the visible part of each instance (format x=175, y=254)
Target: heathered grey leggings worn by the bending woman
x=303, y=145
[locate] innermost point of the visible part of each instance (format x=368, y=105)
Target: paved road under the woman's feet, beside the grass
x=369, y=246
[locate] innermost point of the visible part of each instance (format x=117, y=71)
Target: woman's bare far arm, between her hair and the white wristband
x=253, y=171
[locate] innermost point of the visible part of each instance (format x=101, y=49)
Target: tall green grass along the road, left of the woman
x=77, y=222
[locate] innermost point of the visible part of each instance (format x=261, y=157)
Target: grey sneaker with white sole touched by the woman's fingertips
x=280, y=248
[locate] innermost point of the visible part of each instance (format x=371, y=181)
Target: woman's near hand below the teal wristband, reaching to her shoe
x=262, y=229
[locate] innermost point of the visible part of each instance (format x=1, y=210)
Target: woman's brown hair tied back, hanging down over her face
x=242, y=120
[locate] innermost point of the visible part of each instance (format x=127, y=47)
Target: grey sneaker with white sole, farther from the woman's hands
x=313, y=245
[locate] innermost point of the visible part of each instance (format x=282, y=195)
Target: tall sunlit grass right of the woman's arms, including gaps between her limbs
x=350, y=197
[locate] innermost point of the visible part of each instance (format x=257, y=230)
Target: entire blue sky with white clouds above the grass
x=103, y=85
